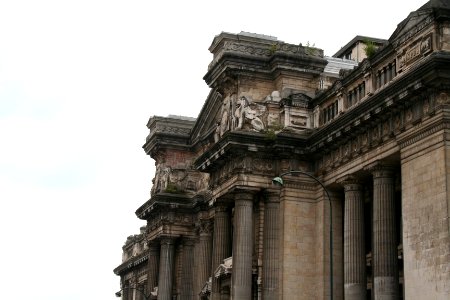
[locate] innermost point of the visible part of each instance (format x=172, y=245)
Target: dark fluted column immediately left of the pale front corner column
x=221, y=244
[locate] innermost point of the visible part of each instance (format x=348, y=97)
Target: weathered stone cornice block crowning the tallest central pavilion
x=260, y=56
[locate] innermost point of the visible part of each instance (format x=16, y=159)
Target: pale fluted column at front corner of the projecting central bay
x=241, y=278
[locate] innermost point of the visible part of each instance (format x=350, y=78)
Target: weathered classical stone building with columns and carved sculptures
x=363, y=149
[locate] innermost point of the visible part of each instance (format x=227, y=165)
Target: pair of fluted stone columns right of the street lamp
x=384, y=238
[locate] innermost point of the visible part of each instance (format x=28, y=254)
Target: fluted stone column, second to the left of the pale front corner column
x=203, y=255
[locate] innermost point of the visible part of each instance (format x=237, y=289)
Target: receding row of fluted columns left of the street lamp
x=201, y=258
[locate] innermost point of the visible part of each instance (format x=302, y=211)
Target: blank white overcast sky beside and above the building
x=78, y=82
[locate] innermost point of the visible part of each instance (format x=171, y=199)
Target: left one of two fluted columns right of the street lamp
x=354, y=243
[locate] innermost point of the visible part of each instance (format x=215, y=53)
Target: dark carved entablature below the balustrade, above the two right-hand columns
x=384, y=115
